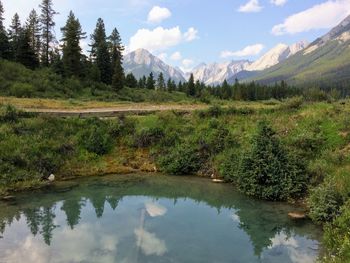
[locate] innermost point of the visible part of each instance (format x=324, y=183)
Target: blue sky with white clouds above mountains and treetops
x=185, y=33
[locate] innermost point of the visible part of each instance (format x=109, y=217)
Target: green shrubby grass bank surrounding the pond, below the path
x=311, y=140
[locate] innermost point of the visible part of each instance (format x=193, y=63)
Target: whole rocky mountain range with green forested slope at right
x=325, y=61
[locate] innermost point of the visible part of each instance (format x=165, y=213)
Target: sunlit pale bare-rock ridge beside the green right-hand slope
x=276, y=55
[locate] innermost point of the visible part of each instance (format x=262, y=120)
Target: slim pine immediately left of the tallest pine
x=33, y=27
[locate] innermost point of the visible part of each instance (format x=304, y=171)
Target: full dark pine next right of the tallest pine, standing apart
x=72, y=34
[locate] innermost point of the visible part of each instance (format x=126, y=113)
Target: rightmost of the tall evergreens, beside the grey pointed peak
x=116, y=50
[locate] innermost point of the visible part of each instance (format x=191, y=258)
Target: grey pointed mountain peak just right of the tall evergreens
x=141, y=63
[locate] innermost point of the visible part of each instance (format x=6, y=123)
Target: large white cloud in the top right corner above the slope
x=321, y=16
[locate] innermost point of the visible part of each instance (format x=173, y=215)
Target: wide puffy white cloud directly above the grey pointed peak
x=160, y=38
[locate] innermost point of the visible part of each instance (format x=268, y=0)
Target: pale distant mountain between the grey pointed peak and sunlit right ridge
x=216, y=73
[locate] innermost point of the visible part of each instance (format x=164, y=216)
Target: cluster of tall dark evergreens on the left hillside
x=34, y=45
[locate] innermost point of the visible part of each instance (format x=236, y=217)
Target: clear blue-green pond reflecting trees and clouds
x=142, y=218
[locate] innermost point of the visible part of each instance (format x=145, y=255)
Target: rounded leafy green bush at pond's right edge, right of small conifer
x=324, y=203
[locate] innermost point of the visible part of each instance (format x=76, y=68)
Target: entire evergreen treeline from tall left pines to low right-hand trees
x=34, y=45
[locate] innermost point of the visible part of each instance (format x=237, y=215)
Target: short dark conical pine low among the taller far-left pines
x=25, y=53
